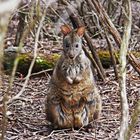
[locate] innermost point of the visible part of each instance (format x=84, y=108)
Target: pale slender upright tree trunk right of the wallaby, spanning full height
x=123, y=53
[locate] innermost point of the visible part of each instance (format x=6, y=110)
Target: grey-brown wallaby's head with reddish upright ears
x=72, y=41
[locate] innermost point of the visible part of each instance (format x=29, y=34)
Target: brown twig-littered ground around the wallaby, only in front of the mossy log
x=26, y=116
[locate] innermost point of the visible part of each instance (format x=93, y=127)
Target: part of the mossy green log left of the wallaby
x=42, y=62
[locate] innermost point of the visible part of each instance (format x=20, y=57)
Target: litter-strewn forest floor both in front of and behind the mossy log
x=27, y=118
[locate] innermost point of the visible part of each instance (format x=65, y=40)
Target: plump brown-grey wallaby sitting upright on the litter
x=72, y=97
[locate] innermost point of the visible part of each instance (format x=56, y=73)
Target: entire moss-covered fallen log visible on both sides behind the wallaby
x=47, y=62
